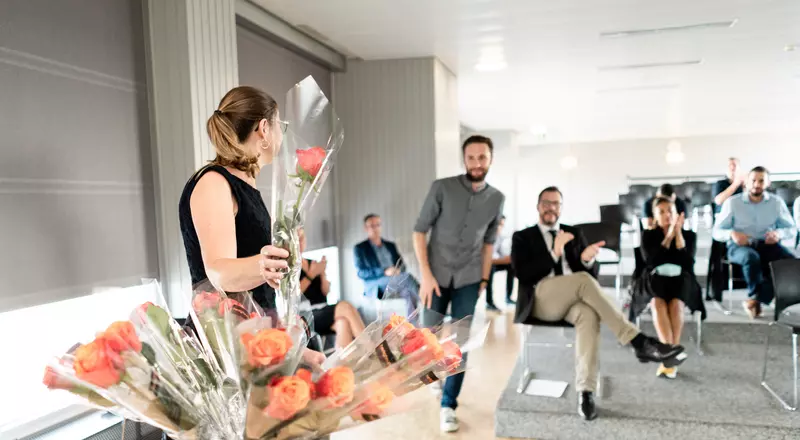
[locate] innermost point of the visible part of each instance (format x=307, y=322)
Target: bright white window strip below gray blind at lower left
x=32, y=336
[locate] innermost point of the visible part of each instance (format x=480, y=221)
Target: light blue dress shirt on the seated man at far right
x=740, y=214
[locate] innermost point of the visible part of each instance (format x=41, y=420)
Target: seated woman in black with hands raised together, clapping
x=668, y=281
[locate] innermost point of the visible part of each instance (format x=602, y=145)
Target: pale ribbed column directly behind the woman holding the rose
x=191, y=63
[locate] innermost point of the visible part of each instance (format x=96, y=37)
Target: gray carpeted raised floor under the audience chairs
x=716, y=396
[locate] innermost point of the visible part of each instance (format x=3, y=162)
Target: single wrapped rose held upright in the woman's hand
x=304, y=162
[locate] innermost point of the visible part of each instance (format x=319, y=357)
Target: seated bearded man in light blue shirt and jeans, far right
x=754, y=223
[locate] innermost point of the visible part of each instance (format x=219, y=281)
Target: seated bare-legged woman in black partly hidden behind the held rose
x=341, y=319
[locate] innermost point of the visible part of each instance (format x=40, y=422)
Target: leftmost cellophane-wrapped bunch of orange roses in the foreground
x=148, y=369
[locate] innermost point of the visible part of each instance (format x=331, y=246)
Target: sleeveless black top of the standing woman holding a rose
x=252, y=228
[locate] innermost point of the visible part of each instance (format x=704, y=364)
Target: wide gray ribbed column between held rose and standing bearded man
x=401, y=133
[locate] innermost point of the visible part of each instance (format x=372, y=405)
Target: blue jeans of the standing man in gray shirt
x=463, y=304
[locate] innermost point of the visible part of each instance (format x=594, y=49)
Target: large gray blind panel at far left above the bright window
x=75, y=167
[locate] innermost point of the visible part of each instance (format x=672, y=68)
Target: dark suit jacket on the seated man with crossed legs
x=532, y=262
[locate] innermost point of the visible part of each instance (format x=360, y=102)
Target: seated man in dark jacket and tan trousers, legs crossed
x=556, y=270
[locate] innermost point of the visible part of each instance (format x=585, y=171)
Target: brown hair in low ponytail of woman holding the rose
x=238, y=115
